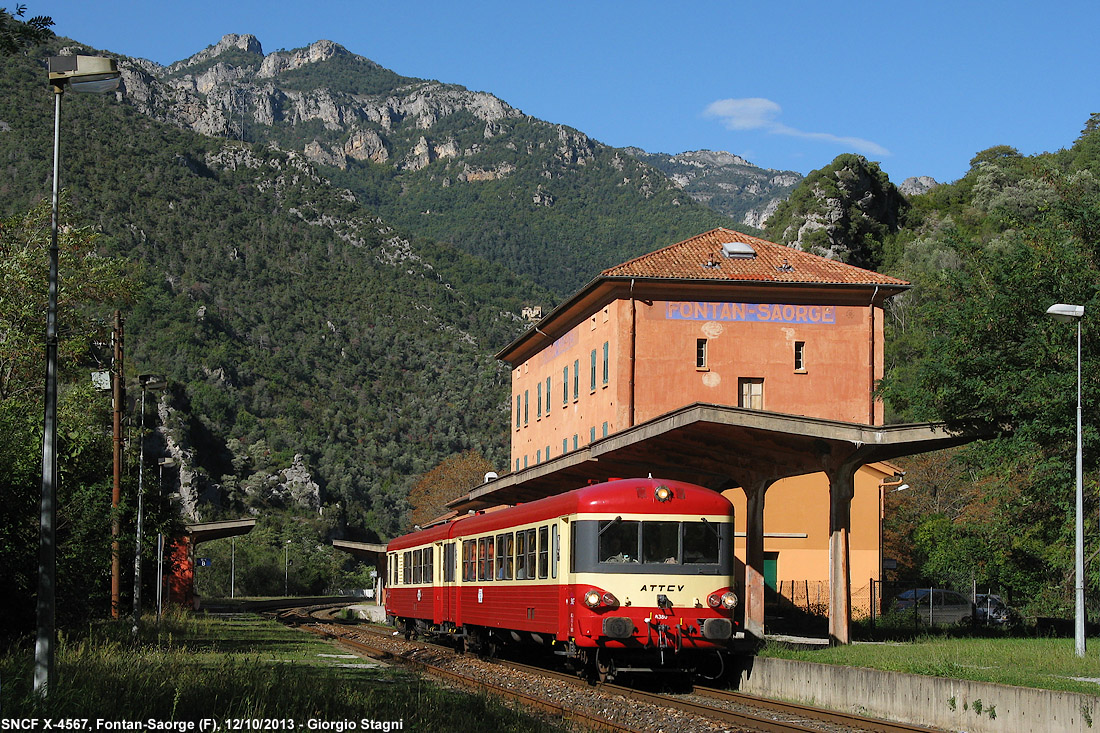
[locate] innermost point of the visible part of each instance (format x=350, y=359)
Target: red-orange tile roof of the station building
x=701, y=258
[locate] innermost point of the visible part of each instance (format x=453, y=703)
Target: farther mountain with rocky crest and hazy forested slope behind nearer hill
x=436, y=160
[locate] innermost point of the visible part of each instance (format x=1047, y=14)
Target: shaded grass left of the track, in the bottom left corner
x=241, y=666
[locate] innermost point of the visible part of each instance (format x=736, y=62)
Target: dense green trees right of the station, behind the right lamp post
x=972, y=345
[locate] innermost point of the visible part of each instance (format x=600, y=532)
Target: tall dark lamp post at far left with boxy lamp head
x=81, y=74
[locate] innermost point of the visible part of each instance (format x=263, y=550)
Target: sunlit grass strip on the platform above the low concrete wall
x=1041, y=663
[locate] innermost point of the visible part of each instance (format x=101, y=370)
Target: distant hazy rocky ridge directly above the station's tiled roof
x=725, y=182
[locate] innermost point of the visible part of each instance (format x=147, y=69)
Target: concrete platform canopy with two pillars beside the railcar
x=723, y=448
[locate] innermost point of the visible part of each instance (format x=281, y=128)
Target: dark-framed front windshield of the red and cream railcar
x=652, y=546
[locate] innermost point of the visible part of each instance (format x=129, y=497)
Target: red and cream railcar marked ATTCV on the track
x=629, y=575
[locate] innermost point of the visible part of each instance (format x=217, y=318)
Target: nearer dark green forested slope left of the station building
x=281, y=310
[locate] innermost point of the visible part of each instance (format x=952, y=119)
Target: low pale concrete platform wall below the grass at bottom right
x=947, y=704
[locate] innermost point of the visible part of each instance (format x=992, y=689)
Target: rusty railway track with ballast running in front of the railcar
x=604, y=707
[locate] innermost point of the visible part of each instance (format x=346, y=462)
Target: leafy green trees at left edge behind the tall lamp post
x=91, y=286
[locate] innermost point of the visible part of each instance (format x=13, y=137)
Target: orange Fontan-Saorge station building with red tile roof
x=729, y=320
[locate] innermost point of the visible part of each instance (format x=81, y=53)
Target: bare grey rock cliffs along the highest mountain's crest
x=234, y=91
